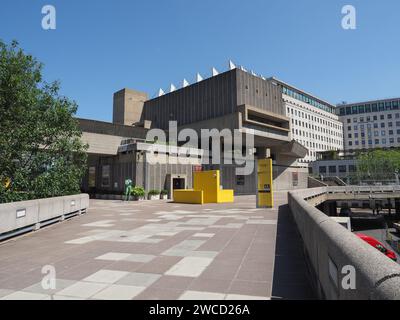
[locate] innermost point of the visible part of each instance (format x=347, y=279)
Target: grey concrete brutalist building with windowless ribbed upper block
x=231, y=100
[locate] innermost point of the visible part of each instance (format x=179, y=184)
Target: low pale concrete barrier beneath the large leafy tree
x=23, y=216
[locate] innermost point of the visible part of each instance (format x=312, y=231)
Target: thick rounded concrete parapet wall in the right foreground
x=333, y=251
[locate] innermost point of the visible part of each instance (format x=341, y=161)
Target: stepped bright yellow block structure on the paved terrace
x=206, y=189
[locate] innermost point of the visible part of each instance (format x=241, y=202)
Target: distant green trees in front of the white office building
x=378, y=164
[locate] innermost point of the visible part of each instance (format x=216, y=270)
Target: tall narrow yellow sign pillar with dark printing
x=265, y=193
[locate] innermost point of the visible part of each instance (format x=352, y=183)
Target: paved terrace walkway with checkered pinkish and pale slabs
x=149, y=250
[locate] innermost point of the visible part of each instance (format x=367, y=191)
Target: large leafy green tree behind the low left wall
x=41, y=152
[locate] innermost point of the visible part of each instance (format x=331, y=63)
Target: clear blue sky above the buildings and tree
x=102, y=46
